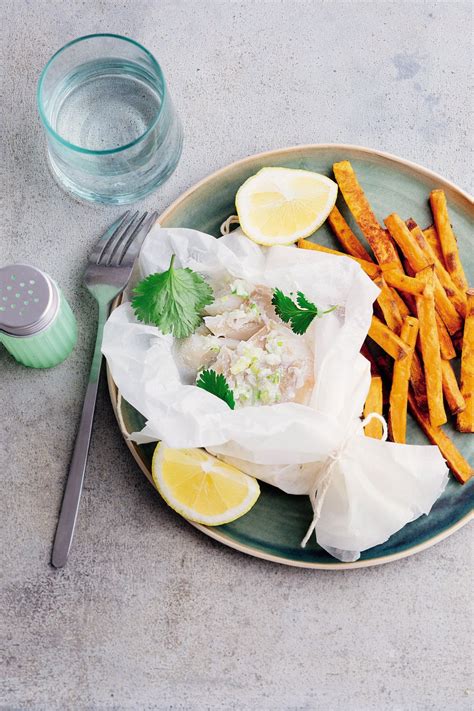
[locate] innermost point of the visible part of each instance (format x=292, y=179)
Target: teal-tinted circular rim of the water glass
x=73, y=146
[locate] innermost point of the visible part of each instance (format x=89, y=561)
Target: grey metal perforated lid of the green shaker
x=29, y=300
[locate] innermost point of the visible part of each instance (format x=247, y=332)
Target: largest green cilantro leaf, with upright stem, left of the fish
x=172, y=300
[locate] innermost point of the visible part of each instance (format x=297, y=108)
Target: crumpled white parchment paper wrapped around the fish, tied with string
x=375, y=487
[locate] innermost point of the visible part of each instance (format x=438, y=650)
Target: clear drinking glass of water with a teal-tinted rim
x=112, y=133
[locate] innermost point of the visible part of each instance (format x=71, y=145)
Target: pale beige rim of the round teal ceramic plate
x=115, y=396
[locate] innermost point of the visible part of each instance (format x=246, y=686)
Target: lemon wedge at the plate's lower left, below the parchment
x=200, y=487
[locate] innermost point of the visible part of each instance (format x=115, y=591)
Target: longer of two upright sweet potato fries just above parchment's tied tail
x=397, y=417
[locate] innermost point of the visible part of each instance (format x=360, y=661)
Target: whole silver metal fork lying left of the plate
x=106, y=276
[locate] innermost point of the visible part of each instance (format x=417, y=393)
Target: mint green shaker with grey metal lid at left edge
x=37, y=325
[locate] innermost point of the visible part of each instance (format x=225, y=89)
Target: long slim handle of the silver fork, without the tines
x=75, y=478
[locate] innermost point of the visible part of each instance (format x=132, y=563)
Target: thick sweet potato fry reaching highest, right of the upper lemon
x=380, y=242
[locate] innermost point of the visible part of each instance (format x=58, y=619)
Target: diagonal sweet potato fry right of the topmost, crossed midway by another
x=418, y=260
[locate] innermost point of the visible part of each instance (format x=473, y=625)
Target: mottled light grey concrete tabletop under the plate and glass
x=149, y=614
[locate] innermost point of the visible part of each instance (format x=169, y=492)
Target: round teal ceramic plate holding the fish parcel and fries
x=275, y=526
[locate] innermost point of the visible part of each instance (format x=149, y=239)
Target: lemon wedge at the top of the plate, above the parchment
x=282, y=205
